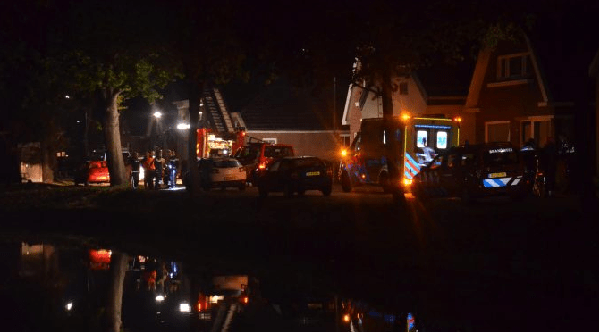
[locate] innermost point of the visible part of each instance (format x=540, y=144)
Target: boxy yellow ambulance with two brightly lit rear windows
x=389, y=153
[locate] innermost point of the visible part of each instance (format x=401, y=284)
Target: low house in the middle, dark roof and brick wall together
x=302, y=117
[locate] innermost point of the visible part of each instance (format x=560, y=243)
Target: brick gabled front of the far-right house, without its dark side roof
x=509, y=99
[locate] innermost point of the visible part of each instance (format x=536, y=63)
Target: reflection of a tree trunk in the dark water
x=114, y=307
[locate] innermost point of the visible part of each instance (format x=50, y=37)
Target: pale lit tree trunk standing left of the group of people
x=112, y=133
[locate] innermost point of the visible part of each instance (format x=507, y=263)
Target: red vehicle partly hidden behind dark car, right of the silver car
x=255, y=157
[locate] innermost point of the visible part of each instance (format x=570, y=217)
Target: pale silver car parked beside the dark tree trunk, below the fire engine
x=219, y=172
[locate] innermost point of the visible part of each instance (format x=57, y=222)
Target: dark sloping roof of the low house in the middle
x=281, y=106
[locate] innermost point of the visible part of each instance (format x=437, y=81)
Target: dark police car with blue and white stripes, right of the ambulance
x=470, y=172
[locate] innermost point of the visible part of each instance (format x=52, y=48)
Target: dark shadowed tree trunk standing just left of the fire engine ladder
x=194, y=116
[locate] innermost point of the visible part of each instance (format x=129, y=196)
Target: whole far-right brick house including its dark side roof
x=529, y=88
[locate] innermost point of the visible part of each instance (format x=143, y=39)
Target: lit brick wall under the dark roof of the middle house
x=317, y=143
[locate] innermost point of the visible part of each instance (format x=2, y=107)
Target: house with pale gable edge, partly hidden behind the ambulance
x=439, y=91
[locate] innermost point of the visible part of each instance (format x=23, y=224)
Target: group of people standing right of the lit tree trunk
x=158, y=170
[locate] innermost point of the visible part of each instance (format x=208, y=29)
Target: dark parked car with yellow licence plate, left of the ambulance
x=296, y=174
